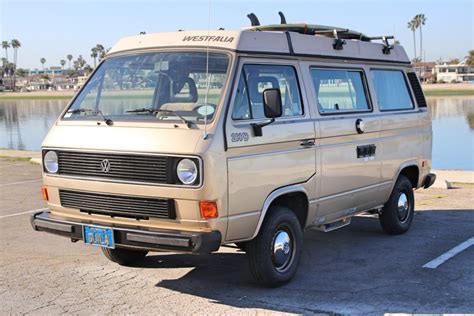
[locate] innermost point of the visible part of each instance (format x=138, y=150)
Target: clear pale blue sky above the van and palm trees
x=53, y=29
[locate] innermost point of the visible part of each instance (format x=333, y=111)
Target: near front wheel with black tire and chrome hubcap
x=271, y=265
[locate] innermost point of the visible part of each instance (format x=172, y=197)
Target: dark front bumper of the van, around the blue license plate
x=131, y=237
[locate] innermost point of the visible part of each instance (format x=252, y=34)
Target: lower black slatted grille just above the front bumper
x=118, y=205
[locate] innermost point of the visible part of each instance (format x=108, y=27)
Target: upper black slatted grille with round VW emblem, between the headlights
x=123, y=167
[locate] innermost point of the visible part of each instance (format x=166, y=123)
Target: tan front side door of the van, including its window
x=282, y=156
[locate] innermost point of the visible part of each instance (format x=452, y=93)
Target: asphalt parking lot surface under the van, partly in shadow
x=357, y=269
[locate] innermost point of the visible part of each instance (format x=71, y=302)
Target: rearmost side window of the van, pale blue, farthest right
x=392, y=90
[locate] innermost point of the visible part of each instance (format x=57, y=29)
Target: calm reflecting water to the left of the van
x=24, y=123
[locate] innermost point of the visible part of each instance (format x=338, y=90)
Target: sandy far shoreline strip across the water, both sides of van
x=438, y=89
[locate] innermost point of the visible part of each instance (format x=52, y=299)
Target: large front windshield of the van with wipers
x=156, y=86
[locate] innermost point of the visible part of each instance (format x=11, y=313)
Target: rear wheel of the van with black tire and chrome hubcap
x=396, y=219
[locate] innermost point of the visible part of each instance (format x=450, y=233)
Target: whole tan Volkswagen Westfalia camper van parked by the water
x=188, y=141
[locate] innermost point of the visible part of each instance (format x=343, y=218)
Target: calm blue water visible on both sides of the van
x=24, y=123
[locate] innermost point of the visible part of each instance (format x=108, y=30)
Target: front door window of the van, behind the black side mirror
x=255, y=79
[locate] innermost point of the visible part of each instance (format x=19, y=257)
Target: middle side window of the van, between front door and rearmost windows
x=340, y=90
